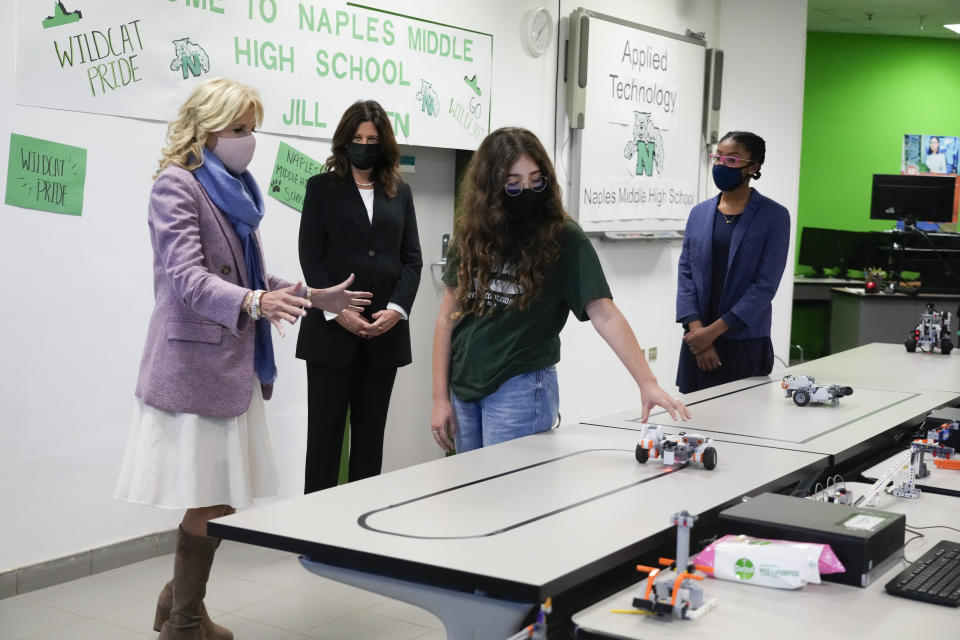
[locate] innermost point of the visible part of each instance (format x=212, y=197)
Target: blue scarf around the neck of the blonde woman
x=240, y=199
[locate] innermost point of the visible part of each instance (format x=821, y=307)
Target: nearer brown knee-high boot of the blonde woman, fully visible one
x=191, y=569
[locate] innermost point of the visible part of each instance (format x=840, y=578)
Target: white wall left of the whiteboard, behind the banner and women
x=80, y=290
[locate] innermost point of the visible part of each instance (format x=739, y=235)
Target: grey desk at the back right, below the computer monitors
x=858, y=318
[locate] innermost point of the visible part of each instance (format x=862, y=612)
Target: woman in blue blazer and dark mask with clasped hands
x=734, y=252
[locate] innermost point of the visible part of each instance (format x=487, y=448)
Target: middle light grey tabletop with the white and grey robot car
x=761, y=415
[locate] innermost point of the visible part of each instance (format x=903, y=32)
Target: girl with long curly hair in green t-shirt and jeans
x=517, y=267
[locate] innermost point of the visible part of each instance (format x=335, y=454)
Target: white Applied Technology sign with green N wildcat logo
x=646, y=160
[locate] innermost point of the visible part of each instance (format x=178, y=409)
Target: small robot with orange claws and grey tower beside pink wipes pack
x=674, y=591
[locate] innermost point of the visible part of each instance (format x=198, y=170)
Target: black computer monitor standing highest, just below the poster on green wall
x=912, y=198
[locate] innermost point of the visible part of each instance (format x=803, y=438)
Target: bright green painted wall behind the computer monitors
x=861, y=95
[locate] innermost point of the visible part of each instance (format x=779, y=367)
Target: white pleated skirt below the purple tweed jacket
x=183, y=461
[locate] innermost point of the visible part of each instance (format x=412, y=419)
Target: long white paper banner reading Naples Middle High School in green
x=309, y=60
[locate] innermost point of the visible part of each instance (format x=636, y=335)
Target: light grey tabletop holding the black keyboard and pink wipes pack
x=826, y=610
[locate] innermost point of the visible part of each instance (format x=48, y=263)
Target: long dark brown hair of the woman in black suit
x=386, y=173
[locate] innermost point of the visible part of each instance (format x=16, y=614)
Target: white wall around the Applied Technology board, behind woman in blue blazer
x=764, y=43
